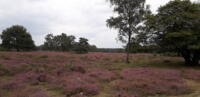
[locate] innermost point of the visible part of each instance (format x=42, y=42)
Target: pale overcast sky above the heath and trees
x=82, y=18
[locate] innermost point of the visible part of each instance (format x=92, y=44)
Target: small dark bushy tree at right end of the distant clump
x=82, y=46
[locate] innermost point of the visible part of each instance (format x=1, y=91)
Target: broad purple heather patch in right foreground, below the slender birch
x=148, y=81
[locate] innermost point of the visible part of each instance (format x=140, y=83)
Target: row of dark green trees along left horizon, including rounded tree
x=17, y=38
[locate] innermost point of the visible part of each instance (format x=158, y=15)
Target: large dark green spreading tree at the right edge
x=176, y=27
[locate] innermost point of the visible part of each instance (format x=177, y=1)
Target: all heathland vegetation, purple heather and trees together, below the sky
x=160, y=57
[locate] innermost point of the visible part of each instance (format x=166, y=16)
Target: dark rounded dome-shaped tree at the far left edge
x=17, y=37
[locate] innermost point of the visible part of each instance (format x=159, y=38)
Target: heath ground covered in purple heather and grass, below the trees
x=56, y=74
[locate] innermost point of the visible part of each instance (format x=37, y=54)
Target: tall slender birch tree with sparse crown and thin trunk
x=130, y=15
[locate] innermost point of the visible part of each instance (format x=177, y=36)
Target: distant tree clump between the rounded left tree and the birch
x=66, y=43
